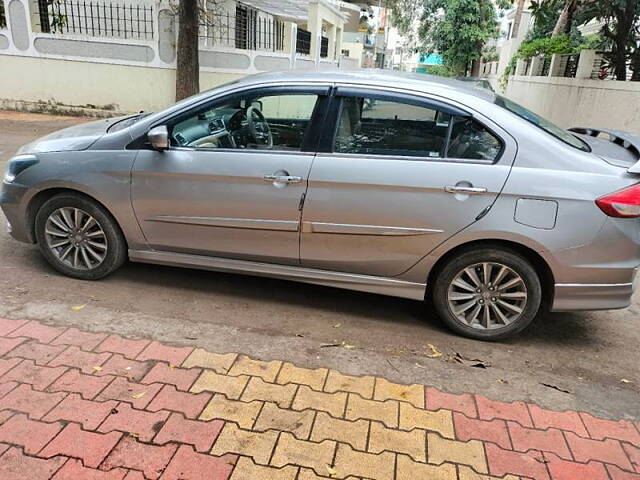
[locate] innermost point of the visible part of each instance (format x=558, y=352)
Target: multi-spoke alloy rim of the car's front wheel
x=75, y=238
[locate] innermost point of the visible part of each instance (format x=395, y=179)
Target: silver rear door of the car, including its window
x=400, y=174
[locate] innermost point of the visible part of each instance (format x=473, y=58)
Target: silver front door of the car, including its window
x=227, y=187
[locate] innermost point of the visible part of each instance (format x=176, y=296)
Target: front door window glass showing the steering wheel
x=259, y=122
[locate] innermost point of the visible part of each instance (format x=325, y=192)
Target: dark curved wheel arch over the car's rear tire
x=540, y=265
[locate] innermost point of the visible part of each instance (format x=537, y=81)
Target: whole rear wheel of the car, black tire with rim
x=511, y=300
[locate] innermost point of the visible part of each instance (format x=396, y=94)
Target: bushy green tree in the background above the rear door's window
x=457, y=29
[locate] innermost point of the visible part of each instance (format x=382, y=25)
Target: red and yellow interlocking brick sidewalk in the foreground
x=78, y=405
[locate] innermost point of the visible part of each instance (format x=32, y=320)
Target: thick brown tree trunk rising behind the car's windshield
x=188, y=66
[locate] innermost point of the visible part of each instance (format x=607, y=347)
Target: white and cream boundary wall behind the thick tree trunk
x=118, y=75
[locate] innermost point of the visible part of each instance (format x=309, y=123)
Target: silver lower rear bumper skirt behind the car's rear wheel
x=574, y=296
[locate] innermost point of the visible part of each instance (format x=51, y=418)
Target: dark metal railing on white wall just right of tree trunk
x=247, y=29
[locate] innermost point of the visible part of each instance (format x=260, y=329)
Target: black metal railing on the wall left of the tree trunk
x=95, y=18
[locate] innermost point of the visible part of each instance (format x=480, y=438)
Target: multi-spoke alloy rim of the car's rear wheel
x=487, y=295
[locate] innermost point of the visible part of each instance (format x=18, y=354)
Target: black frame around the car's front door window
x=311, y=136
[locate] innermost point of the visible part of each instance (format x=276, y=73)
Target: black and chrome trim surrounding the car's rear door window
x=327, y=143
